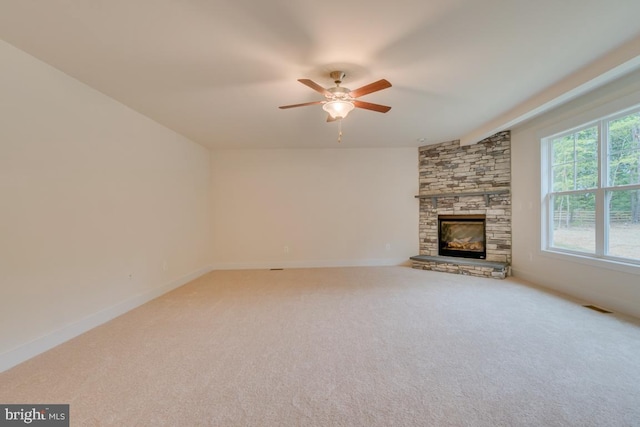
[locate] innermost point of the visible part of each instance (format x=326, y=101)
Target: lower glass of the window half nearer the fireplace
x=574, y=222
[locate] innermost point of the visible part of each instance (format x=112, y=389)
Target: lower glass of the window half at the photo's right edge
x=624, y=224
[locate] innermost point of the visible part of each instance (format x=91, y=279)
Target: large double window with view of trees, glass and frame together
x=591, y=181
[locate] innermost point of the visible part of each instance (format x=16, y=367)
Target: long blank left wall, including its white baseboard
x=90, y=192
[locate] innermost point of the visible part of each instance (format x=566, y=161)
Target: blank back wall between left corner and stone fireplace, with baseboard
x=330, y=207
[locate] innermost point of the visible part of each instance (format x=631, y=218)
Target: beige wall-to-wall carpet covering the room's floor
x=377, y=346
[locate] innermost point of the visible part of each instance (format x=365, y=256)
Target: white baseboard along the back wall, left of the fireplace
x=311, y=264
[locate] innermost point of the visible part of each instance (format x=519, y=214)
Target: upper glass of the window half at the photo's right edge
x=624, y=150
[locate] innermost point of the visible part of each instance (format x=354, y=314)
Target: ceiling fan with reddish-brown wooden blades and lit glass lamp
x=341, y=100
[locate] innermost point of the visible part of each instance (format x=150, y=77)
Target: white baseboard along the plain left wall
x=30, y=349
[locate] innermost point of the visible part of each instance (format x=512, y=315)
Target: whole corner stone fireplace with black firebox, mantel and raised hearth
x=470, y=185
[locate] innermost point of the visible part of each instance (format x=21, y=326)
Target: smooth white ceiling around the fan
x=216, y=70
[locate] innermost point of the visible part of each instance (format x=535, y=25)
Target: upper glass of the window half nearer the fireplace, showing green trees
x=575, y=161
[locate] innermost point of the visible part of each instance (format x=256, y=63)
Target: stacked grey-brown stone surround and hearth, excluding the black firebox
x=449, y=168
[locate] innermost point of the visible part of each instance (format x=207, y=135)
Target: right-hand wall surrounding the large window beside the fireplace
x=588, y=280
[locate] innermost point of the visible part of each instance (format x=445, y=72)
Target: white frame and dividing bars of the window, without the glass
x=600, y=191
